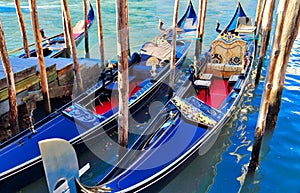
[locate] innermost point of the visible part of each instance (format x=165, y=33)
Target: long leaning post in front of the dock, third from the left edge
x=40, y=54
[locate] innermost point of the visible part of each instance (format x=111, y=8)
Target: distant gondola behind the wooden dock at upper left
x=55, y=46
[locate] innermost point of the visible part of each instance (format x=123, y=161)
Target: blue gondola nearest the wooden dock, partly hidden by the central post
x=95, y=112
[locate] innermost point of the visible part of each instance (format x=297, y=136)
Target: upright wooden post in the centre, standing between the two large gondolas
x=123, y=85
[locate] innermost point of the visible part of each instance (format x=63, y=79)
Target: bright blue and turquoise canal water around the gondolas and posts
x=224, y=167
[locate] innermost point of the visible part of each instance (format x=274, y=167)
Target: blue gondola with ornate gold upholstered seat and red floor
x=191, y=121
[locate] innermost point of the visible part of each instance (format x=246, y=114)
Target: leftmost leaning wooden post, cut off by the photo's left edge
x=12, y=95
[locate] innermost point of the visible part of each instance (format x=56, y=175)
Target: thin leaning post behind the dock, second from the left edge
x=22, y=28
